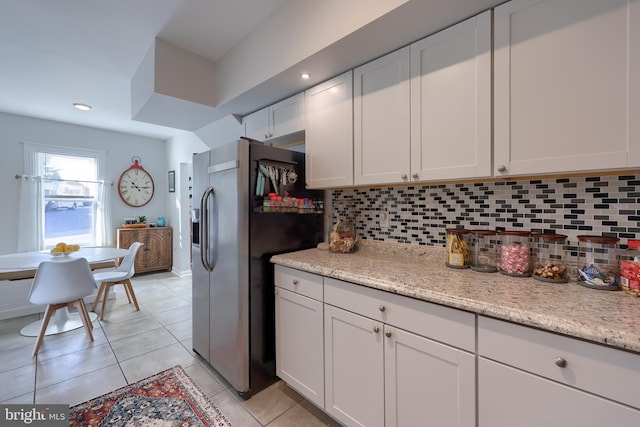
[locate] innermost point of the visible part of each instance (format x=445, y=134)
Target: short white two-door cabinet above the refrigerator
x=280, y=119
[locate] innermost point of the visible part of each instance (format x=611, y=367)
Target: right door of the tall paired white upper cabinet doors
x=451, y=102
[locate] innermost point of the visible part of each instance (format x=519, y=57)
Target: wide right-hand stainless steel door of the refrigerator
x=229, y=277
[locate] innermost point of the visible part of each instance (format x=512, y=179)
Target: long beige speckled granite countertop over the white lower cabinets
x=606, y=317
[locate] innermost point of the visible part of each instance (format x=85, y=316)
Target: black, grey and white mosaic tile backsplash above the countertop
x=418, y=215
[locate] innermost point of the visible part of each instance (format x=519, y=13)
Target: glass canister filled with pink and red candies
x=515, y=258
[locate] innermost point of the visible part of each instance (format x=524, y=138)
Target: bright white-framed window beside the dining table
x=72, y=206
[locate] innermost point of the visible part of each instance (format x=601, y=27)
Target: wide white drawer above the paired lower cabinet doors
x=444, y=324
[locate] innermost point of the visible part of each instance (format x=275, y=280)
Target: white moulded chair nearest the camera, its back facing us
x=61, y=284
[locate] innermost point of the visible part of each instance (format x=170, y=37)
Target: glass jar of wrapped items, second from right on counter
x=598, y=262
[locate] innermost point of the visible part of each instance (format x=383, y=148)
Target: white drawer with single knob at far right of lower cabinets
x=601, y=370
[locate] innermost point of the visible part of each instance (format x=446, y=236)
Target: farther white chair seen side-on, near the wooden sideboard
x=120, y=275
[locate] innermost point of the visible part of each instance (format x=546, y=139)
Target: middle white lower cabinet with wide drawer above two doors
x=379, y=373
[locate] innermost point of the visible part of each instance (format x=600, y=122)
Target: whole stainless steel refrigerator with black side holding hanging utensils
x=250, y=203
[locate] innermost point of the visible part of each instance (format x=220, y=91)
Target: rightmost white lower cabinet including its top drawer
x=532, y=378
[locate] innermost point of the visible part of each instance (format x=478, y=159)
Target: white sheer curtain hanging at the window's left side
x=30, y=215
